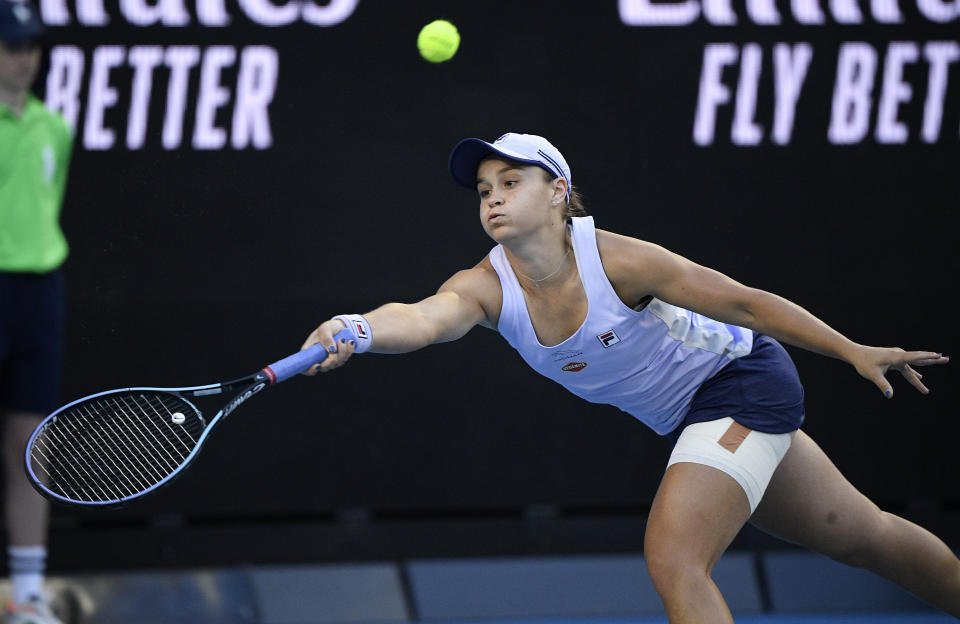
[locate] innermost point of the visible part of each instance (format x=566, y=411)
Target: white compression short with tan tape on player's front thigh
x=750, y=457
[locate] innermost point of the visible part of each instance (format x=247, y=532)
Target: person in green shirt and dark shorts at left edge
x=35, y=147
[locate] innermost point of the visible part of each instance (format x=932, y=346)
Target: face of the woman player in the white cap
x=514, y=199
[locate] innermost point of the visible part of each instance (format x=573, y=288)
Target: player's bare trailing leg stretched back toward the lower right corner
x=810, y=503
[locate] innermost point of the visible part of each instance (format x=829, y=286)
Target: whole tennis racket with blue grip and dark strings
x=112, y=447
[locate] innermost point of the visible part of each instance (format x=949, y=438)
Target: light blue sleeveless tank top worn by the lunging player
x=648, y=363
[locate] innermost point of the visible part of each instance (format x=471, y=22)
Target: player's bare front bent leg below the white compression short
x=696, y=513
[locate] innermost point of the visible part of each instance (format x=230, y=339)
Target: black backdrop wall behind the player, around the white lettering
x=193, y=265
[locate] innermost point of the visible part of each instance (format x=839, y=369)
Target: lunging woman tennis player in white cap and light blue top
x=686, y=350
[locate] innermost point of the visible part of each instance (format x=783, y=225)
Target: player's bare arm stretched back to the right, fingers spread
x=638, y=268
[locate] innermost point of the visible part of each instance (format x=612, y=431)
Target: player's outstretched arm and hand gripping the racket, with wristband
x=461, y=303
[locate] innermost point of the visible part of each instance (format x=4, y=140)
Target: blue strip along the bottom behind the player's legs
x=796, y=588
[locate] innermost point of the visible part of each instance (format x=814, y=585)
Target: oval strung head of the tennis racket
x=115, y=446
